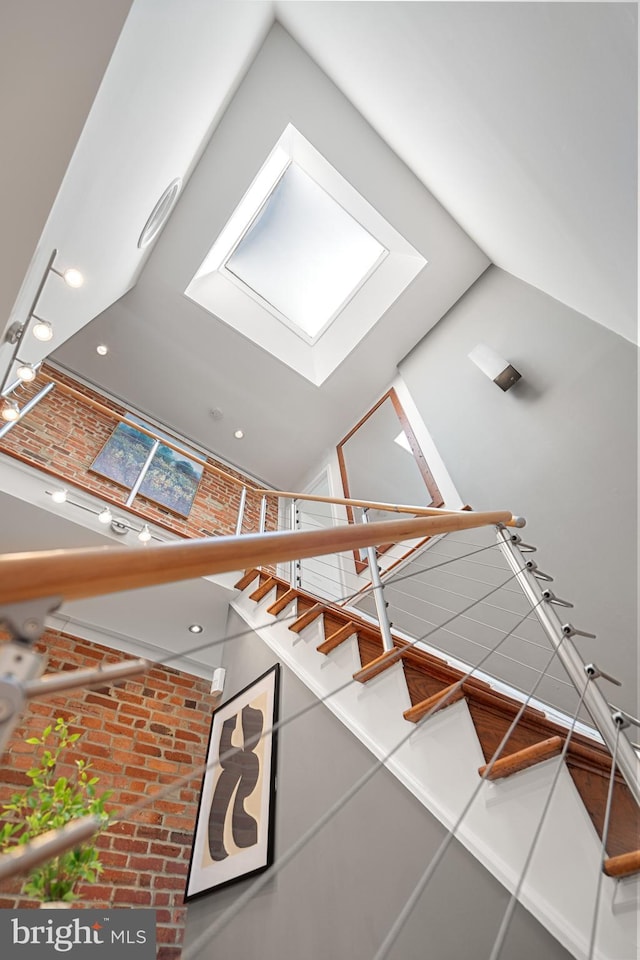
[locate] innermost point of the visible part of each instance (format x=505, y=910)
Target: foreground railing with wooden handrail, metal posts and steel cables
x=31, y=585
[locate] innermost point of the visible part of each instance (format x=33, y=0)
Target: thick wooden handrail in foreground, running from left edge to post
x=89, y=572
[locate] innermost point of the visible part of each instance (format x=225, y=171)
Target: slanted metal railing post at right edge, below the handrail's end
x=560, y=635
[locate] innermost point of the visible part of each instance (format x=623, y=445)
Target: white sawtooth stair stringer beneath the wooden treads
x=560, y=884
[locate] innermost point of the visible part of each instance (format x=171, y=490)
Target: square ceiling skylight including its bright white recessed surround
x=304, y=266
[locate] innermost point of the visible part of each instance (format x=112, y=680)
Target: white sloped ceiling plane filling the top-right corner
x=521, y=118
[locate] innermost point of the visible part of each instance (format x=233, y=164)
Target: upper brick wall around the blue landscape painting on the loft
x=63, y=436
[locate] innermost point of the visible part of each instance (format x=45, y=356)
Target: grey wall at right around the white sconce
x=559, y=447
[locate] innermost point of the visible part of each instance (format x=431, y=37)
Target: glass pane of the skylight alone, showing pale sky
x=304, y=254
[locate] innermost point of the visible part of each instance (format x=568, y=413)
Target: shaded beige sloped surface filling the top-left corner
x=52, y=60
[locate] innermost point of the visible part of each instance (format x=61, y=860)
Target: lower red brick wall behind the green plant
x=139, y=735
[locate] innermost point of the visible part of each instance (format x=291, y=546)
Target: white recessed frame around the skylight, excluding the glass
x=229, y=301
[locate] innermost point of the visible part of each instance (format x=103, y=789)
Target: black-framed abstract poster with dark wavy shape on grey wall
x=234, y=834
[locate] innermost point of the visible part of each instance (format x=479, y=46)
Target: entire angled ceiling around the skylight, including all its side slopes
x=518, y=118
